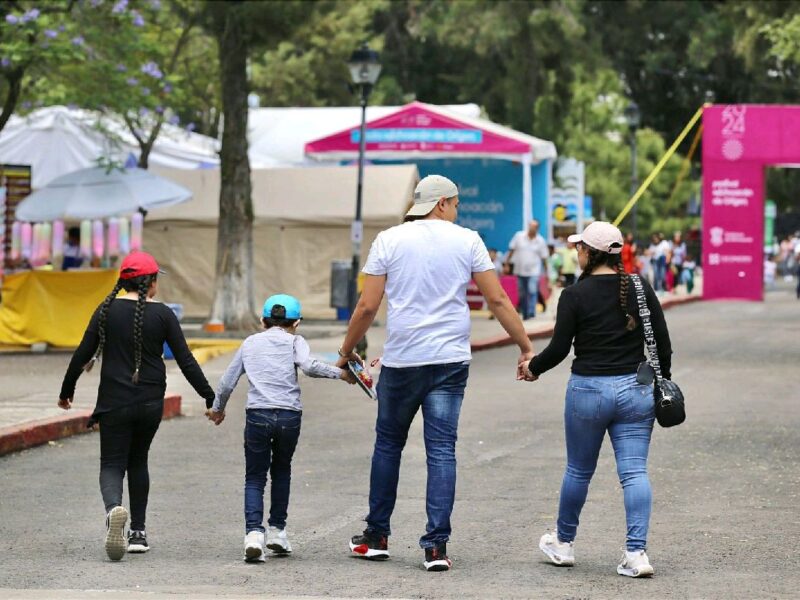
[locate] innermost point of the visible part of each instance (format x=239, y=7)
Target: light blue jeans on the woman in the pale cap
x=624, y=408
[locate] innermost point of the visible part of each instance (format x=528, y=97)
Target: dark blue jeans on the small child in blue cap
x=270, y=438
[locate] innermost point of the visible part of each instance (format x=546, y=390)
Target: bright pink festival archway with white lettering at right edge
x=739, y=141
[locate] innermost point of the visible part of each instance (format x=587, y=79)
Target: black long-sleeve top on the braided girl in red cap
x=117, y=365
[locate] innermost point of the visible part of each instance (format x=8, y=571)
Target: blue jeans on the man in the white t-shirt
x=439, y=390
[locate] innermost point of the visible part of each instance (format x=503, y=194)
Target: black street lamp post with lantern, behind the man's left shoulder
x=365, y=67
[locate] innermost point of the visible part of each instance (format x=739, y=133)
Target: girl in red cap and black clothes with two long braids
x=129, y=332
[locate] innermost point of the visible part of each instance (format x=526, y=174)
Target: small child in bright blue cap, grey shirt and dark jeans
x=270, y=360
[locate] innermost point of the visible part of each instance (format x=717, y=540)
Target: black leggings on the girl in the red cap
x=125, y=437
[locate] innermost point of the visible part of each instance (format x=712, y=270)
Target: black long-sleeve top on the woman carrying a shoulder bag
x=590, y=314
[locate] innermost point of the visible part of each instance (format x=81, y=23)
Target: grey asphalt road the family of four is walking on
x=726, y=487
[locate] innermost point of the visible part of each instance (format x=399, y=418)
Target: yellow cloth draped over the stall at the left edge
x=52, y=307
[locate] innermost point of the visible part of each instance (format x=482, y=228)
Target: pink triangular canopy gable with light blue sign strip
x=418, y=128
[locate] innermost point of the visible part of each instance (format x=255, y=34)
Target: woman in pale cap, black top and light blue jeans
x=603, y=394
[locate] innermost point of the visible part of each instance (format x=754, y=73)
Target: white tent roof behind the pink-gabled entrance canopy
x=282, y=133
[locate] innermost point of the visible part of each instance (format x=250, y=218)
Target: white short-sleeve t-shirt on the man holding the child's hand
x=428, y=265
